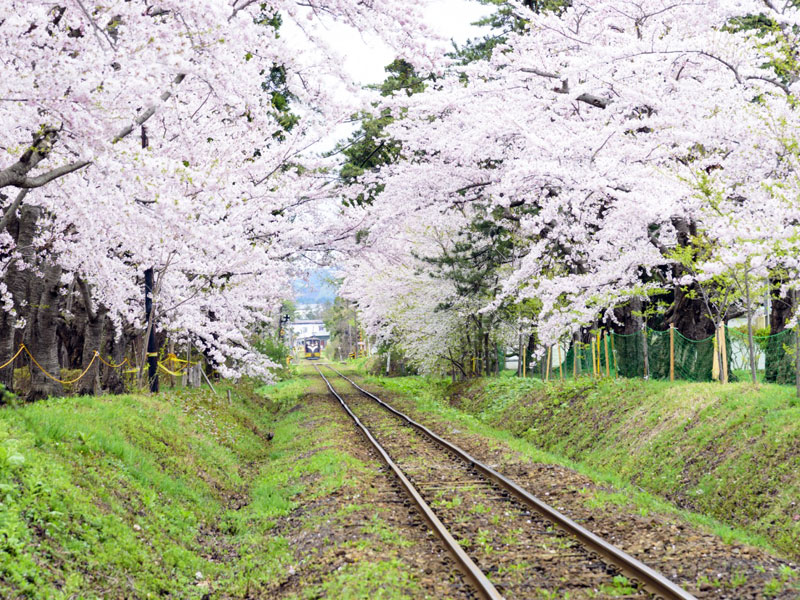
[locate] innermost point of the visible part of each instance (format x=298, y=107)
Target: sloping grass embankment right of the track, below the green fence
x=728, y=455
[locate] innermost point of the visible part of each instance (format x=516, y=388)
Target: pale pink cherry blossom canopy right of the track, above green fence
x=592, y=131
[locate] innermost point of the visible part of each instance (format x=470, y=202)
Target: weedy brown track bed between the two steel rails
x=523, y=554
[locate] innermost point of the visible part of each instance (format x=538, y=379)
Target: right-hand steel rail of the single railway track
x=635, y=570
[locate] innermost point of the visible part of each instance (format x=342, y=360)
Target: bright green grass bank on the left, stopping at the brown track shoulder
x=149, y=496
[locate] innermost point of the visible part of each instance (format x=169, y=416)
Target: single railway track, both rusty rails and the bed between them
x=507, y=542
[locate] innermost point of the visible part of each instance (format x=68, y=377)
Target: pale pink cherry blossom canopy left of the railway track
x=168, y=135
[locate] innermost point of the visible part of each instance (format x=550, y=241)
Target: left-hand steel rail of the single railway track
x=471, y=571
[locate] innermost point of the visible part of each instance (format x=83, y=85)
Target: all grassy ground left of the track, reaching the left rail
x=186, y=494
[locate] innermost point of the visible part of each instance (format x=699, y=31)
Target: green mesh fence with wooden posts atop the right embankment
x=619, y=355
